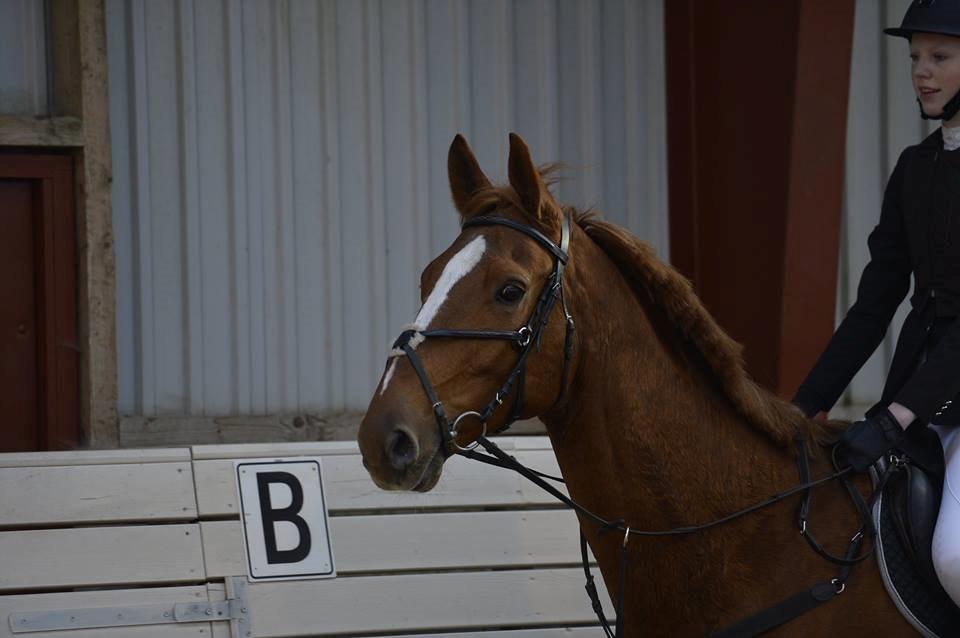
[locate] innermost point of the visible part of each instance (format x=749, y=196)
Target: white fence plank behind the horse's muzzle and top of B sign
x=348, y=486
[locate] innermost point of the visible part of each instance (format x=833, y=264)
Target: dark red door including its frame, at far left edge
x=38, y=353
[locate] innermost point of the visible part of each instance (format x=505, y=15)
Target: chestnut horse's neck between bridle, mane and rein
x=664, y=447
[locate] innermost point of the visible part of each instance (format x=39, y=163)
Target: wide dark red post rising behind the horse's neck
x=757, y=110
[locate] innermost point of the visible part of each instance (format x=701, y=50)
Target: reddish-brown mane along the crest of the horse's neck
x=722, y=357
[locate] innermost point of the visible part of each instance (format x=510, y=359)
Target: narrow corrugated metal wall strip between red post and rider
x=883, y=119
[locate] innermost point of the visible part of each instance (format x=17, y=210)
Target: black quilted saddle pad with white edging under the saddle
x=929, y=610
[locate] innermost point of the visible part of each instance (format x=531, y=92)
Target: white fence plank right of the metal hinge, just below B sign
x=422, y=602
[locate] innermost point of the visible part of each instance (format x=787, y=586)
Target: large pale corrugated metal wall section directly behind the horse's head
x=279, y=172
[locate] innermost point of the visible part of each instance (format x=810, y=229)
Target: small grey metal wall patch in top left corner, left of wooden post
x=23, y=59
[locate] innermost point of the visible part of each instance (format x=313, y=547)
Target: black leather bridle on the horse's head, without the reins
x=527, y=338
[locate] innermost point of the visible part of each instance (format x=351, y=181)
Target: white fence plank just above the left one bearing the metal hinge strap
x=60, y=558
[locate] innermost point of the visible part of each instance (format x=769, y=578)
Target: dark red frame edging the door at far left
x=52, y=179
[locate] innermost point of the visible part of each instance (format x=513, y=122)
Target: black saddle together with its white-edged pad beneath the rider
x=905, y=515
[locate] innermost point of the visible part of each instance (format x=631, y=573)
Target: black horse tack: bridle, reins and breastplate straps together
x=527, y=338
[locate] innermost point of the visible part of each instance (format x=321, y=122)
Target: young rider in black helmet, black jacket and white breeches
x=919, y=234
